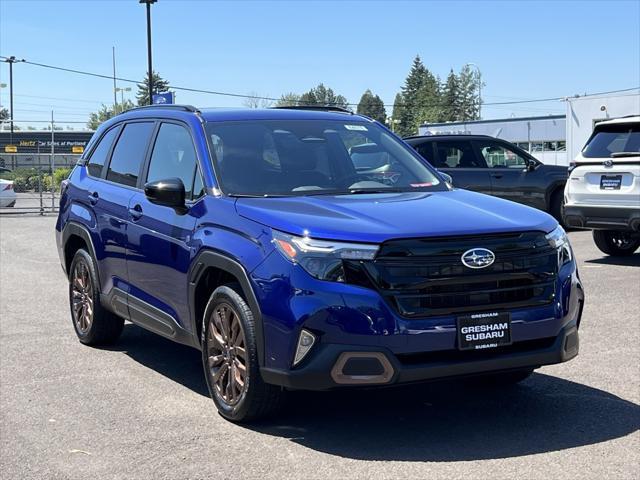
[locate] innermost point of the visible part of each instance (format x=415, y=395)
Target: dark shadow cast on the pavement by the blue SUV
x=437, y=422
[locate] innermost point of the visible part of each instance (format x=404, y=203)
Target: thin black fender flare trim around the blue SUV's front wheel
x=210, y=258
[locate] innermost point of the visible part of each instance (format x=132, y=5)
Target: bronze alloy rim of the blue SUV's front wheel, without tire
x=227, y=356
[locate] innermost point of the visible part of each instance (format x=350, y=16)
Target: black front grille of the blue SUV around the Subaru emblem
x=426, y=277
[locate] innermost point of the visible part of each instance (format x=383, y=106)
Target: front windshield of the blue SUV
x=314, y=157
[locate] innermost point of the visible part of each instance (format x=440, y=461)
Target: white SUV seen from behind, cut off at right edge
x=603, y=190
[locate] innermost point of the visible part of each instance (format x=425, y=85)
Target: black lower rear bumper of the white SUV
x=602, y=218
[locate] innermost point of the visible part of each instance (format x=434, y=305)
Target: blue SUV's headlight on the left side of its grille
x=321, y=258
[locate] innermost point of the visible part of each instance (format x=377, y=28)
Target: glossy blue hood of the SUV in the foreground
x=375, y=218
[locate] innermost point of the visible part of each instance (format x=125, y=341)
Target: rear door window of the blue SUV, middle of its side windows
x=128, y=154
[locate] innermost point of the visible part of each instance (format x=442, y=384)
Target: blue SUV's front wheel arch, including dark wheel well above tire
x=210, y=270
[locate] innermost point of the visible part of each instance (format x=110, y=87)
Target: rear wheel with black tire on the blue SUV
x=94, y=325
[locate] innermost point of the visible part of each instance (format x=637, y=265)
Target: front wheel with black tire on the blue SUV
x=230, y=359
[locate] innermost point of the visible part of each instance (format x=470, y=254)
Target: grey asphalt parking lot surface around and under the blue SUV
x=140, y=409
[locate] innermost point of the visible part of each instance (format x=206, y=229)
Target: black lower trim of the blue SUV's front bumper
x=330, y=369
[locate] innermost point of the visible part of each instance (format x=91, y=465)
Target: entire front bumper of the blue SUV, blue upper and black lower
x=348, y=319
